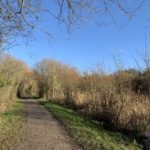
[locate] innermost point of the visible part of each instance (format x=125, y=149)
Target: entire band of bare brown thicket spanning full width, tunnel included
x=120, y=99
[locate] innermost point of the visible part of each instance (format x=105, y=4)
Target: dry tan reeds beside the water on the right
x=123, y=109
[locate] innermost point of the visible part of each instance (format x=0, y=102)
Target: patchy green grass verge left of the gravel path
x=10, y=125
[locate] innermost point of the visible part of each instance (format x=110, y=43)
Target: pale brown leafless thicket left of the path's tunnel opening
x=11, y=73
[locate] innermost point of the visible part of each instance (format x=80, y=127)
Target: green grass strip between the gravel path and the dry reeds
x=89, y=134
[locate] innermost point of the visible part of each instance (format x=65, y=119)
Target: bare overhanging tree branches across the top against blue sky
x=19, y=17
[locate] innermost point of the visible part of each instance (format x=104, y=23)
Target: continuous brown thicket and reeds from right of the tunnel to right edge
x=120, y=99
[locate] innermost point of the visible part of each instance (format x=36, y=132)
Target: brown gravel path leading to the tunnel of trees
x=42, y=131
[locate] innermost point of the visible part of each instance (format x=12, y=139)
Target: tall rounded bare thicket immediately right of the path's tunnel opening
x=57, y=81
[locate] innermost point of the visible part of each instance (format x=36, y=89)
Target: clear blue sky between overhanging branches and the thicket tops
x=88, y=44
